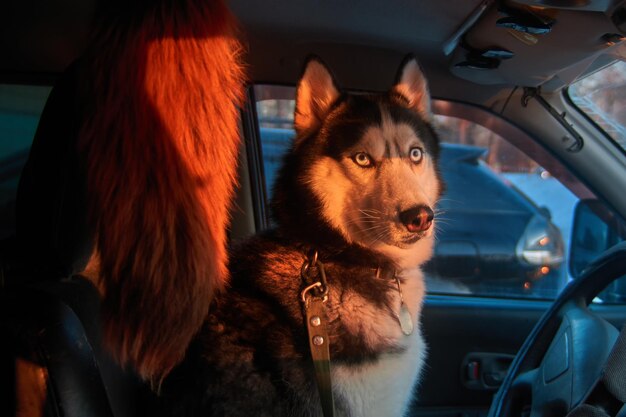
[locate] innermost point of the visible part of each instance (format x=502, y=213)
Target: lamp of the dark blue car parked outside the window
x=541, y=244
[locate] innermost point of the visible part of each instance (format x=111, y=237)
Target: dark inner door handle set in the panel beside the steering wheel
x=485, y=371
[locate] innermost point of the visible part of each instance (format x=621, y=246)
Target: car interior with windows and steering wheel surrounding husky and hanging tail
x=541, y=342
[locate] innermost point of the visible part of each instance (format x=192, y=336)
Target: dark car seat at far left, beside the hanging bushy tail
x=51, y=357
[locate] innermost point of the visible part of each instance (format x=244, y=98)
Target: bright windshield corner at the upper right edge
x=602, y=96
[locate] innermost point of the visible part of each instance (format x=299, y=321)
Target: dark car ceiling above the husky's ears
x=362, y=41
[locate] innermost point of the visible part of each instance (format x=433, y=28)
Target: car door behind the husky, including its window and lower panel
x=504, y=227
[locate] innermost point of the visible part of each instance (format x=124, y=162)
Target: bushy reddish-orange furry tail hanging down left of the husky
x=161, y=144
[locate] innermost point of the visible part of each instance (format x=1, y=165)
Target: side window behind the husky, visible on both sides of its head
x=505, y=221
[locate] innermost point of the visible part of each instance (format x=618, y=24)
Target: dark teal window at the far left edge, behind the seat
x=20, y=108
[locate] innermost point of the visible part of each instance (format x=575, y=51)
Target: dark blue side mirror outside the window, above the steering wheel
x=595, y=229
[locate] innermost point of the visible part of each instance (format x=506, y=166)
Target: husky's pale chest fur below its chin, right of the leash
x=384, y=387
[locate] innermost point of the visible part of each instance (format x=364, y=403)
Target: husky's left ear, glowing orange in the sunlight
x=314, y=97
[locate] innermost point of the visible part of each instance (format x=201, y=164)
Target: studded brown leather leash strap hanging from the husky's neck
x=313, y=298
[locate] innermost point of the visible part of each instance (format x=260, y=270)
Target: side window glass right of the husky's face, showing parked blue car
x=505, y=219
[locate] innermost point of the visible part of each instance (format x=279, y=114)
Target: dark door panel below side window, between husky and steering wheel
x=455, y=327
